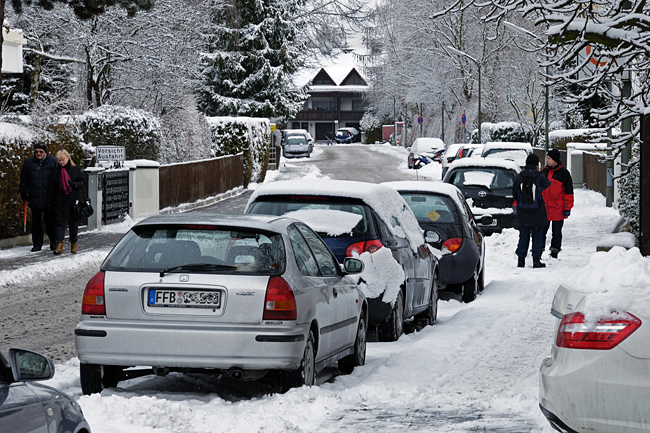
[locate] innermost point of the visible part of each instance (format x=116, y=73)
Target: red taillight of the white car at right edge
x=575, y=333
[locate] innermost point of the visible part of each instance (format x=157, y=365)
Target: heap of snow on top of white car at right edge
x=625, y=289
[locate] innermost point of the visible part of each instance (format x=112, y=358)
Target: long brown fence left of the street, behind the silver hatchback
x=189, y=182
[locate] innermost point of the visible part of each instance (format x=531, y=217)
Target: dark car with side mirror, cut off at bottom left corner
x=31, y=407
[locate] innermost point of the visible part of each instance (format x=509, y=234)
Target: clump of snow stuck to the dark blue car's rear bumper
x=382, y=274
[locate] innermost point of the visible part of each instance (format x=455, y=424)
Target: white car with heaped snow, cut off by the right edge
x=597, y=378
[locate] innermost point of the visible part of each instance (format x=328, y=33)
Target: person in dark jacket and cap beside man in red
x=531, y=211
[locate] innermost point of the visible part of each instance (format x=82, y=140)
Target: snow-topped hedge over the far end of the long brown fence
x=231, y=135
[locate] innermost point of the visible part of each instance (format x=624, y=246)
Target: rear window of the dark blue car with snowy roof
x=283, y=205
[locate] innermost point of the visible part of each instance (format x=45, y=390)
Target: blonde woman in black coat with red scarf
x=68, y=182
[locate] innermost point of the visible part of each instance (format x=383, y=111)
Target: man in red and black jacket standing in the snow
x=558, y=198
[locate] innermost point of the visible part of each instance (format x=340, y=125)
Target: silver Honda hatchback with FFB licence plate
x=241, y=294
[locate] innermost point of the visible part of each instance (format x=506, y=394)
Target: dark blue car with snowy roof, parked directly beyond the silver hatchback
x=418, y=294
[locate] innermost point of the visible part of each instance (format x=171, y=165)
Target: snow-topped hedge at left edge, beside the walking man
x=15, y=148
